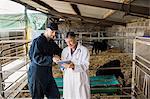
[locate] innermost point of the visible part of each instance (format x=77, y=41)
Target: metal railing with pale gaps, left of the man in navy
x=13, y=73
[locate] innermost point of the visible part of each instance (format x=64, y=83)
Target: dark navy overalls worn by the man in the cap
x=40, y=70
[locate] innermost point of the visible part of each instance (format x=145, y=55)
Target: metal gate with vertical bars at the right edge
x=141, y=68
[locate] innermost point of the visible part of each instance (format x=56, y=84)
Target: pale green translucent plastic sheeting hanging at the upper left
x=17, y=21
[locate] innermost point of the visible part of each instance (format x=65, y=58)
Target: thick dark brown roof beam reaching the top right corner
x=113, y=5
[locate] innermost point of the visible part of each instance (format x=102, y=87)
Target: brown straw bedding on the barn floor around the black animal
x=95, y=62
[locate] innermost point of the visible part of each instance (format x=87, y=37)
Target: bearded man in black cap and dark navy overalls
x=41, y=54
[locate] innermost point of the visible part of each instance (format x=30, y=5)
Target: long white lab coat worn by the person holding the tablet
x=76, y=82
